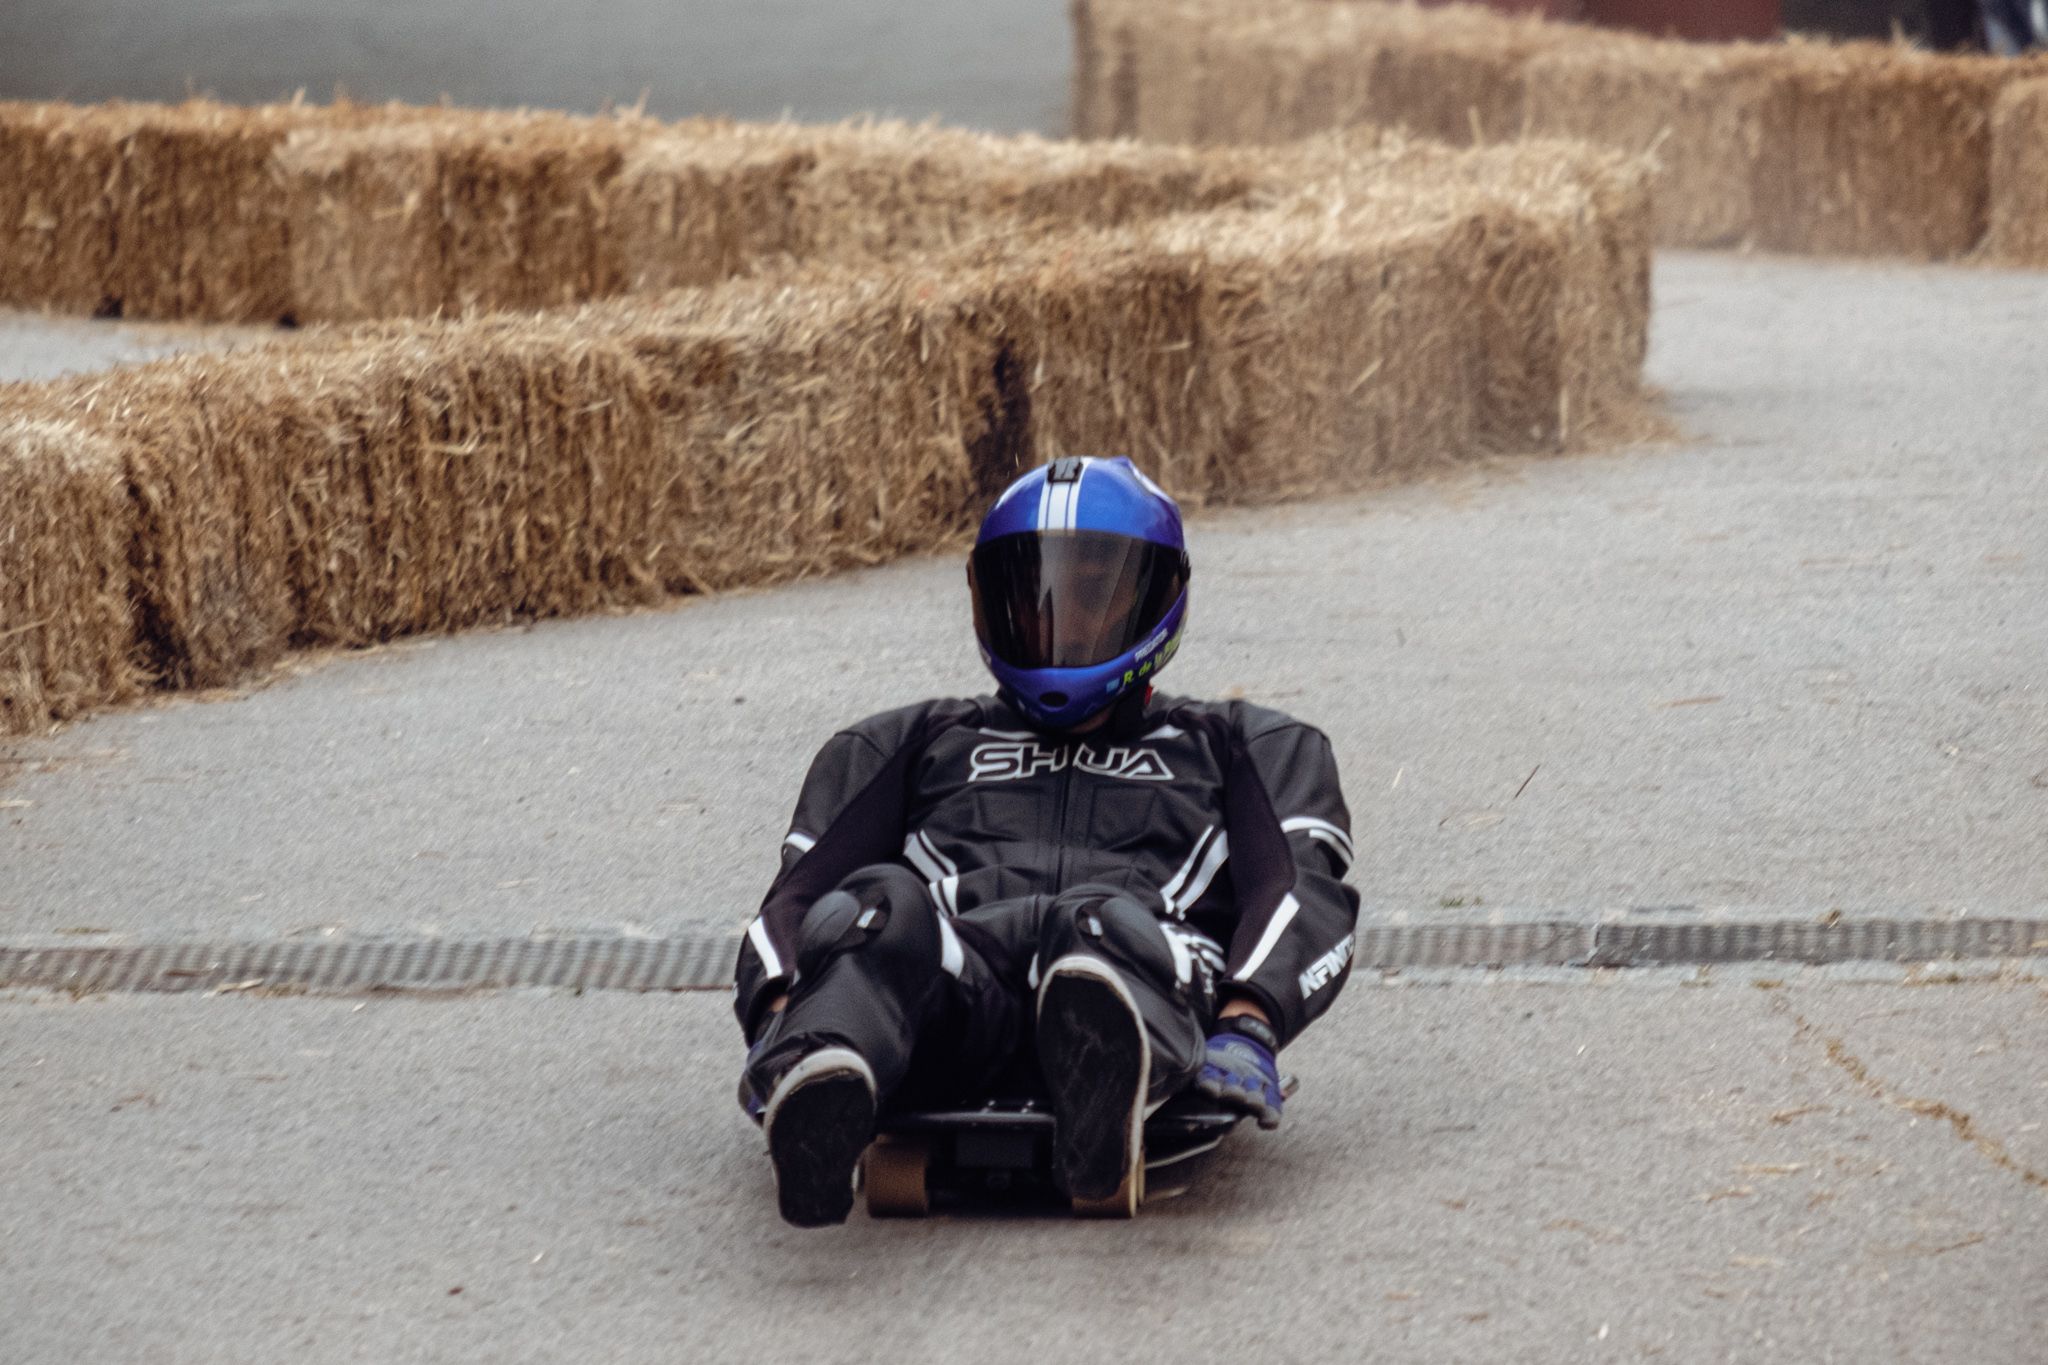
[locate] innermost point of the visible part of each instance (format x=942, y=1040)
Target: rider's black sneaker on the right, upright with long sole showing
x=1097, y=1065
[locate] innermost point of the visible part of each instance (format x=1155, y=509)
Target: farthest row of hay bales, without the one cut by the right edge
x=1797, y=146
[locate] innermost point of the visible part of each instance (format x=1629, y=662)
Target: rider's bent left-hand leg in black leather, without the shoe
x=873, y=969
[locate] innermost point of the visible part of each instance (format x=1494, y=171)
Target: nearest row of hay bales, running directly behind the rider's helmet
x=1410, y=308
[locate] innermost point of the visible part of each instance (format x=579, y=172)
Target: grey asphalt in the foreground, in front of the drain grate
x=1471, y=1174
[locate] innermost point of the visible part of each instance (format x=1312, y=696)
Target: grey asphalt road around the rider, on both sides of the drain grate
x=1789, y=668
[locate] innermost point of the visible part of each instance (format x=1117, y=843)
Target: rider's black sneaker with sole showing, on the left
x=820, y=1120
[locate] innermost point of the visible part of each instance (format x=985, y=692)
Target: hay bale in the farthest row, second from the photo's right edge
x=1883, y=152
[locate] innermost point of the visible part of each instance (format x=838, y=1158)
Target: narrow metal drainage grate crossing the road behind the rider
x=706, y=961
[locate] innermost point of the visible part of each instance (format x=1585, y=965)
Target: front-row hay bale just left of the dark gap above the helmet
x=812, y=425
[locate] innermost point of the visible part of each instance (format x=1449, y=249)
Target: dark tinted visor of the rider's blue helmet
x=1072, y=599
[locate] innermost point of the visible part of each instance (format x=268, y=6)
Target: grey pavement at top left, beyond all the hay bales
x=992, y=67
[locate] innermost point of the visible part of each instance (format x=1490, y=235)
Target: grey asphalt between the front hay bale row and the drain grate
x=1789, y=668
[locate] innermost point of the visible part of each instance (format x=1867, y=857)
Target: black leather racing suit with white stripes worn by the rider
x=945, y=852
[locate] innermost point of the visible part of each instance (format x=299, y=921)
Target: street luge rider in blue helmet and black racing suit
x=1140, y=891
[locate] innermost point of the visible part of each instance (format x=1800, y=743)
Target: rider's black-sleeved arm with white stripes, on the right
x=1291, y=844
